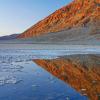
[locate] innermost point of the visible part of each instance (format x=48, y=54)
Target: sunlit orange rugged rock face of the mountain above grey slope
x=77, y=13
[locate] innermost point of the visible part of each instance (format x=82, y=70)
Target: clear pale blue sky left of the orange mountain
x=18, y=15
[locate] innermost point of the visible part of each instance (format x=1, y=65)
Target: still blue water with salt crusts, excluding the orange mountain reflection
x=22, y=79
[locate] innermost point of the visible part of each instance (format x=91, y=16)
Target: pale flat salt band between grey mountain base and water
x=79, y=49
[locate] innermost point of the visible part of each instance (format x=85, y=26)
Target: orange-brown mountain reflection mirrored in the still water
x=82, y=72
